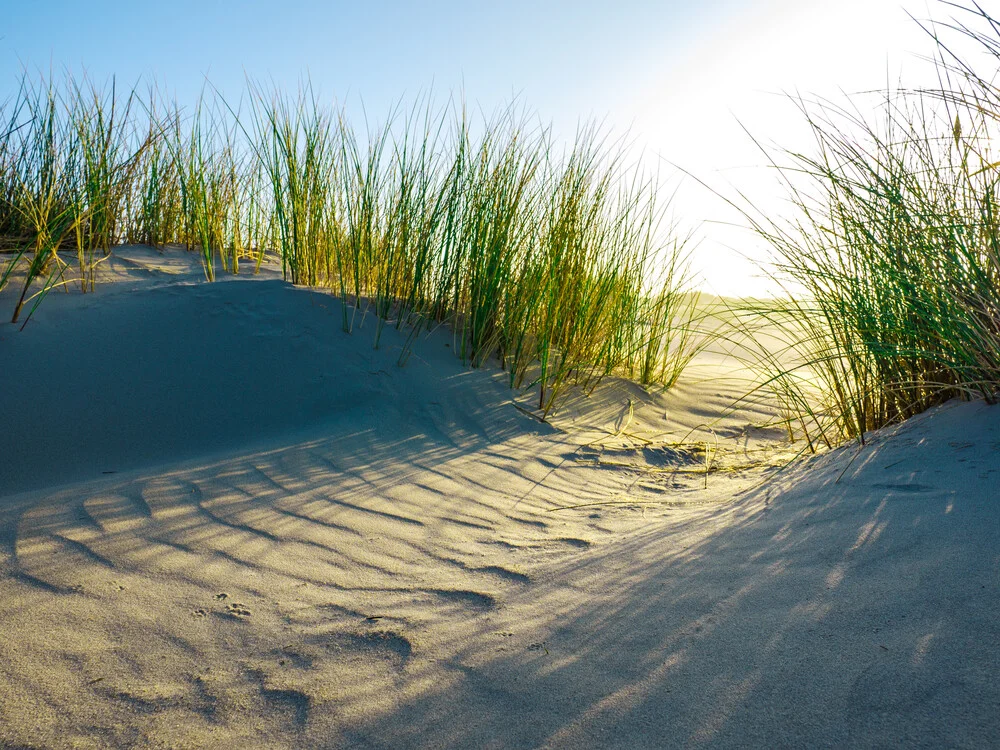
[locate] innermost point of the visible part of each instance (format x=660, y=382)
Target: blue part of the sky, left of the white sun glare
x=570, y=59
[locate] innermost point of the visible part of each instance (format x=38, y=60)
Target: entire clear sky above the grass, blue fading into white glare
x=679, y=76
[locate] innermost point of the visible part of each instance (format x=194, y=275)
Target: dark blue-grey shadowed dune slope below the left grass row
x=178, y=372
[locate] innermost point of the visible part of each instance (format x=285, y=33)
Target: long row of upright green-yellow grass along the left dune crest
x=554, y=261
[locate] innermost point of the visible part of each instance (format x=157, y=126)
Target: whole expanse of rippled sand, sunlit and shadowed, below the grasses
x=226, y=523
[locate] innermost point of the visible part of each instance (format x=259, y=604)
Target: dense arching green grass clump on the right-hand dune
x=892, y=265
